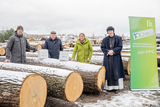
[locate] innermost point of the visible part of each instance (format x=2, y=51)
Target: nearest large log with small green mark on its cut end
x=20, y=89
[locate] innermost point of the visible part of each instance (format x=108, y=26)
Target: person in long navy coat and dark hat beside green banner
x=111, y=47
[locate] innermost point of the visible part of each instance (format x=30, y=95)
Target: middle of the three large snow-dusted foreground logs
x=61, y=83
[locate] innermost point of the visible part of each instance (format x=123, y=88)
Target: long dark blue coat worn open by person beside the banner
x=117, y=60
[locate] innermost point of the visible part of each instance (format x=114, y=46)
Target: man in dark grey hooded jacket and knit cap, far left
x=16, y=47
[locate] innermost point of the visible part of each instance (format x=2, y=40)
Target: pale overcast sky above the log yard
x=75, y=16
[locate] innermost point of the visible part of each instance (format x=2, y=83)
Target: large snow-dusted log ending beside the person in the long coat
x=93, y=75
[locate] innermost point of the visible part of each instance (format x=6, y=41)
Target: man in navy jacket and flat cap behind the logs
x=54, y=45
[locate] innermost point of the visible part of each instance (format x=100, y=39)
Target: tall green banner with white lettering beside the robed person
x=144, y=73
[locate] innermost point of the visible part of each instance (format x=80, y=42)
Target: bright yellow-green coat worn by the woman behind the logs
x=83, y=51
